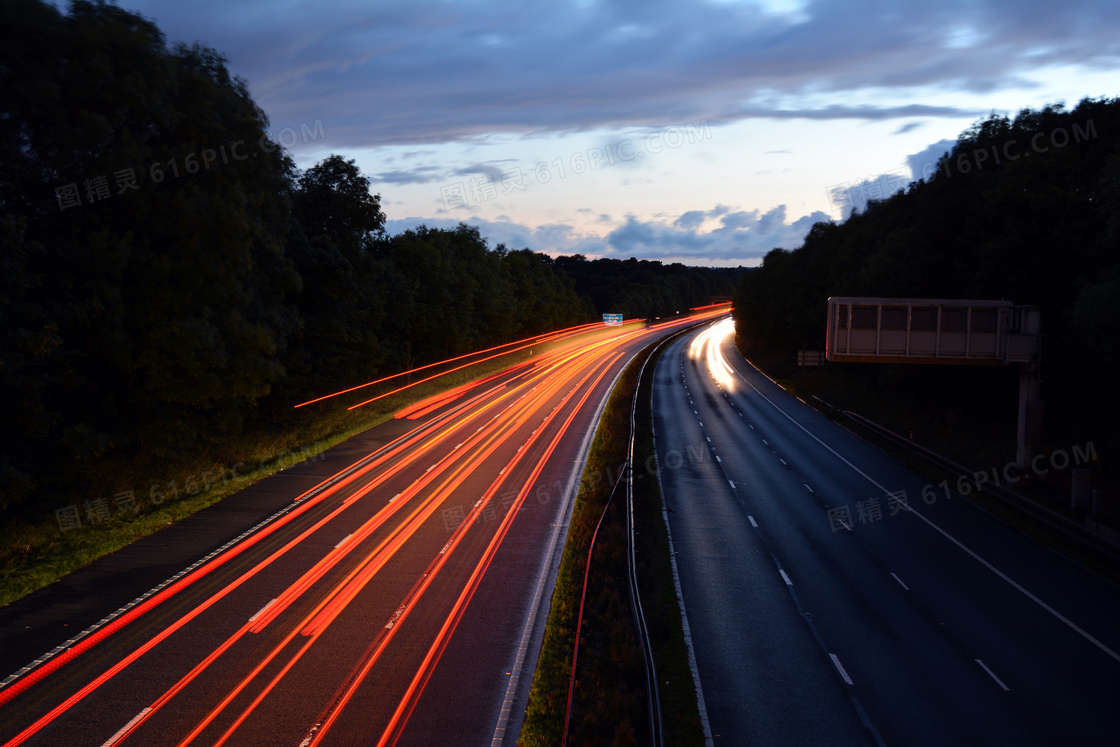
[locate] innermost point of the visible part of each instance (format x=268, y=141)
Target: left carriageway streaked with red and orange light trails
x=399, y=601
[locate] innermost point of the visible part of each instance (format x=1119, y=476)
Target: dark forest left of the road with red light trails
x=170, y=279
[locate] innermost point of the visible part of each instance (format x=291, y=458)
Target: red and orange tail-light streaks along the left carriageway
x=503, y=429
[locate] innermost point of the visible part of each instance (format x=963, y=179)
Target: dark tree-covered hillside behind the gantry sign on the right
x=1024, y=209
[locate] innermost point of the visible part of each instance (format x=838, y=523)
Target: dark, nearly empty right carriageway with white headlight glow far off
x=833, y=600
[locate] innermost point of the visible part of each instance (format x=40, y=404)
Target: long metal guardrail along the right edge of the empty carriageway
x=1063, y=527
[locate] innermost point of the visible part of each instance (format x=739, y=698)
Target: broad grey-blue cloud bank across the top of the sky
x=428, y=72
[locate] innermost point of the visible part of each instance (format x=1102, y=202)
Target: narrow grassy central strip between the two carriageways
x=610, y=698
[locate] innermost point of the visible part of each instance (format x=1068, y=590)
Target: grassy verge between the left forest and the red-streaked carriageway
x=38, y=552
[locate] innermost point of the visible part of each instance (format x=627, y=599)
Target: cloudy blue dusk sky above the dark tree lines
x=707, y=133
